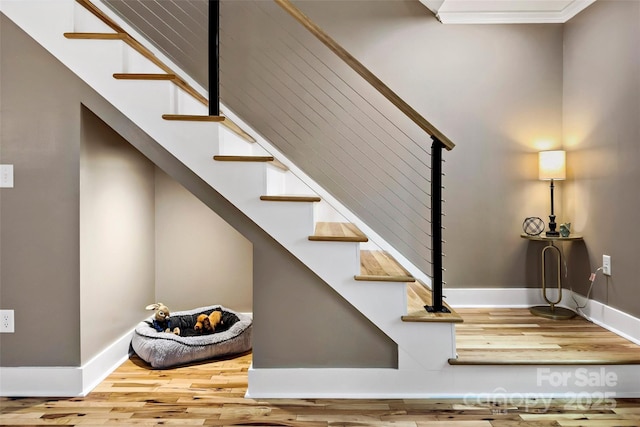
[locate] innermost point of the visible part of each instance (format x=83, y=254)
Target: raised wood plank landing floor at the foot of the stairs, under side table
x=514, y=336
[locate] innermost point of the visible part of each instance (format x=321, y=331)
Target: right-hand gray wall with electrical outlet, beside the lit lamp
x=602, y=137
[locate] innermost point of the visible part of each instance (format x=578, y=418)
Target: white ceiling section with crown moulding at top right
x=505, y=11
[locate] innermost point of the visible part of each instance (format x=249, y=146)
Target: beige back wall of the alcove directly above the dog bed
x=200, y=259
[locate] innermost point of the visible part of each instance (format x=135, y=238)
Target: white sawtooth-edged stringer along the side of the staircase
x=422, y=346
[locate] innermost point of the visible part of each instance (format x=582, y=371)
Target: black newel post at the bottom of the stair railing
x=436, y=226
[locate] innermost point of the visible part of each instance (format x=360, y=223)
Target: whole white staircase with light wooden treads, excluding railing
x=251, y=174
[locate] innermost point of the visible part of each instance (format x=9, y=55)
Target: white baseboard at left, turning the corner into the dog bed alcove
x=54, y=381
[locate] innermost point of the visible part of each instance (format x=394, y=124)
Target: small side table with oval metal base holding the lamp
x=551, y=311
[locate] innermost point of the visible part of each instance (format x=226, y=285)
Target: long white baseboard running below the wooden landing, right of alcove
x=474, y=384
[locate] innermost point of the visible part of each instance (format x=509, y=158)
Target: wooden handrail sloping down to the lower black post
x=359, y=68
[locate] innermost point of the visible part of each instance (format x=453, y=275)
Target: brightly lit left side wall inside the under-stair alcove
x=117, y=235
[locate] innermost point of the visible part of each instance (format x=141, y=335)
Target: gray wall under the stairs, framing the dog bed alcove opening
x=40, y=233
